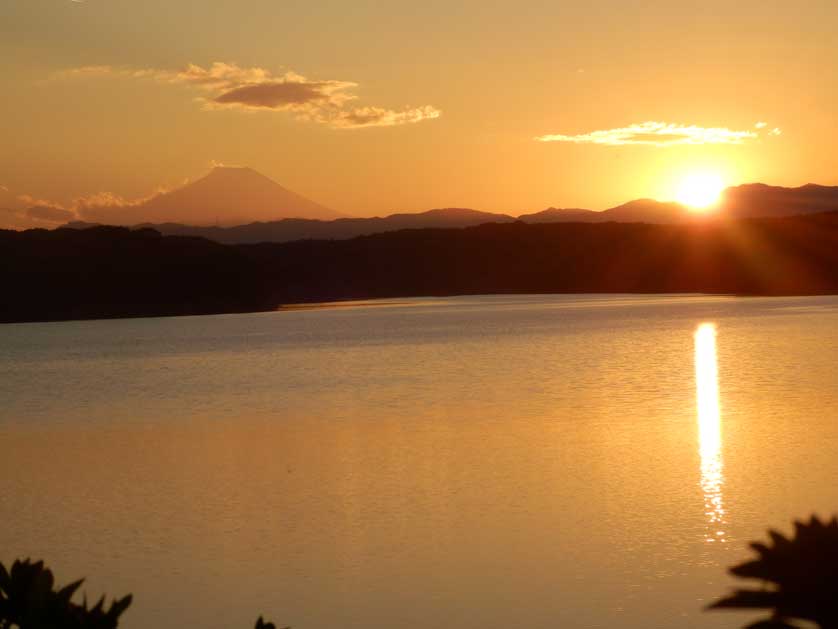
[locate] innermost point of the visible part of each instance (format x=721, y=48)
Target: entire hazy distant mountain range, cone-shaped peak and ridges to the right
x=240, y=205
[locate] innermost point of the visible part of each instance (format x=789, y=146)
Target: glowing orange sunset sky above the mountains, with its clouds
x=371, y=107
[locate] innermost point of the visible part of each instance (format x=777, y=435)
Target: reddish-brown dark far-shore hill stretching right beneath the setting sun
x=796, y=255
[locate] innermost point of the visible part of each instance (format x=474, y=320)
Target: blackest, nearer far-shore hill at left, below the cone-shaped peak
x=106, y=272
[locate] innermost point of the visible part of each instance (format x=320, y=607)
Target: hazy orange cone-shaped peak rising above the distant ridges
x=226, y=196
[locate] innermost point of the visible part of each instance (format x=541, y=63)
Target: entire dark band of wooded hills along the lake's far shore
x=114, y=272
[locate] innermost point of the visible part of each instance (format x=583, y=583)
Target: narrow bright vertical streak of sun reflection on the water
x=709, y=429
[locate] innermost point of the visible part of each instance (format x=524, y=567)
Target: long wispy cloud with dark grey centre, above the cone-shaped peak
x=231, y=86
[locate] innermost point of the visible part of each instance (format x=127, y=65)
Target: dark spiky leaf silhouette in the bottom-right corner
x=802, y=574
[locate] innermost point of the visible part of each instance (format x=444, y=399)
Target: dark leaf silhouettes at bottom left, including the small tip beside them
x=29, y=600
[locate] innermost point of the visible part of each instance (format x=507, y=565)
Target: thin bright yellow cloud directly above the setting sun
x=656, y=134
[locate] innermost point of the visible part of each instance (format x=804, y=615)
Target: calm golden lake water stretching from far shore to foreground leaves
x=482, y=462
